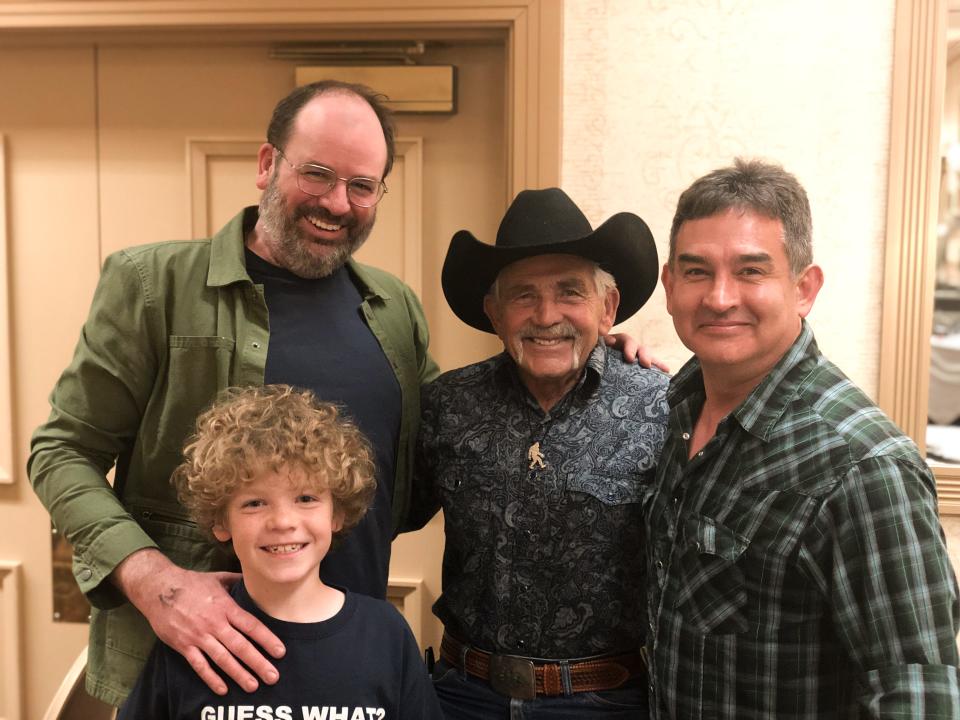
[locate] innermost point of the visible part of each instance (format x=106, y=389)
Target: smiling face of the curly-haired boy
x=281, y=527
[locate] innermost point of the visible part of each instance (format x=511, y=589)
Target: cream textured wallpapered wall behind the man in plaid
x=659, y=92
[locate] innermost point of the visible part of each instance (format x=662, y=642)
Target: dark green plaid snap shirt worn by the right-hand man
x=797, y=564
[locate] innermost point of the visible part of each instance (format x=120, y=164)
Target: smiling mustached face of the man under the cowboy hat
x=549, y=314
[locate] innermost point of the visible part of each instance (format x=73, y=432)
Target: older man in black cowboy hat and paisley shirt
x=539, y=457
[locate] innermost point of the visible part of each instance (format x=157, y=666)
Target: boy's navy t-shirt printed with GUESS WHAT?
x=361, y=664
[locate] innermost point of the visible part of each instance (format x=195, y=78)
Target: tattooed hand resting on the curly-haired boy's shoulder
x=192, y=613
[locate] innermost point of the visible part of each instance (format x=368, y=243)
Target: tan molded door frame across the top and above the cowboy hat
x=532, y=31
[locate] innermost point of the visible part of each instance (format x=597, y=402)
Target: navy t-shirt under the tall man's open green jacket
x=319, y=341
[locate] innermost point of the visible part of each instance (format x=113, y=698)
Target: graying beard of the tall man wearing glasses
x=290, y=248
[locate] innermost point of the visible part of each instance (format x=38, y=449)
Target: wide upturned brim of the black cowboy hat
x=623, y=246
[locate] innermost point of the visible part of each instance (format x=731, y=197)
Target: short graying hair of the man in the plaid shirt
x=764, y=188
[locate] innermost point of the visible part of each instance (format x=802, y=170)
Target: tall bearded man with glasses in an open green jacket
x=273, y=297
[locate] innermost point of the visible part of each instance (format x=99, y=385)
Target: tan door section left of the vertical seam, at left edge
x=48, y=130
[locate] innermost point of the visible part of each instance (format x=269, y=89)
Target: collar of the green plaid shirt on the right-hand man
x=766, y=403
